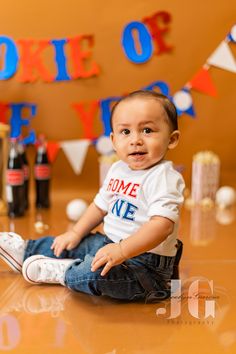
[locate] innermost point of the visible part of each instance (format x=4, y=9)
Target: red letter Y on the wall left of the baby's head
x=87, y=117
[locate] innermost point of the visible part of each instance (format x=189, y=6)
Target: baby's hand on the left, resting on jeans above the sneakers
x=68, y=241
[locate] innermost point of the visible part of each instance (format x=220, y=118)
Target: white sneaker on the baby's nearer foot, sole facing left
x=40, y=269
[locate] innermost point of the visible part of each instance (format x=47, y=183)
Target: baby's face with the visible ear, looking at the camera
x=141, y=132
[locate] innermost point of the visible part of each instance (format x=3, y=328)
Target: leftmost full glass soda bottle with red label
x=15, y=181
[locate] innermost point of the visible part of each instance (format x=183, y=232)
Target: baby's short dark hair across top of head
x=168, y=106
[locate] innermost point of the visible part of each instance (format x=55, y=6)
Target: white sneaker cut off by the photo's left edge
x=12, y=250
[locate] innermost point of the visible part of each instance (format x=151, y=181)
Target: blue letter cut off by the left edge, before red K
x=11, y=58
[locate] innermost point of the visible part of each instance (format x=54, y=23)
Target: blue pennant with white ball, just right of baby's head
x=183, y=102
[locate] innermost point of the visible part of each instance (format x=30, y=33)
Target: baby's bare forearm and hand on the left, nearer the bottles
x=92, y=217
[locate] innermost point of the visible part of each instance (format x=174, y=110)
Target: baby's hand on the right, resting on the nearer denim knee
x=110, y=255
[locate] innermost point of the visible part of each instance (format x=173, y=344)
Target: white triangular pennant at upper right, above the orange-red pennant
x=223, y=58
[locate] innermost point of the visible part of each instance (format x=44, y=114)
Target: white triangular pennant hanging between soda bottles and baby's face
x=75, y=151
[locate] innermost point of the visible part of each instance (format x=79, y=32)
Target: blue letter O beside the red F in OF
x=145, y=40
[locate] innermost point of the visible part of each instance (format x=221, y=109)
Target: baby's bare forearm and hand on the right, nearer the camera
x=150, y=235
